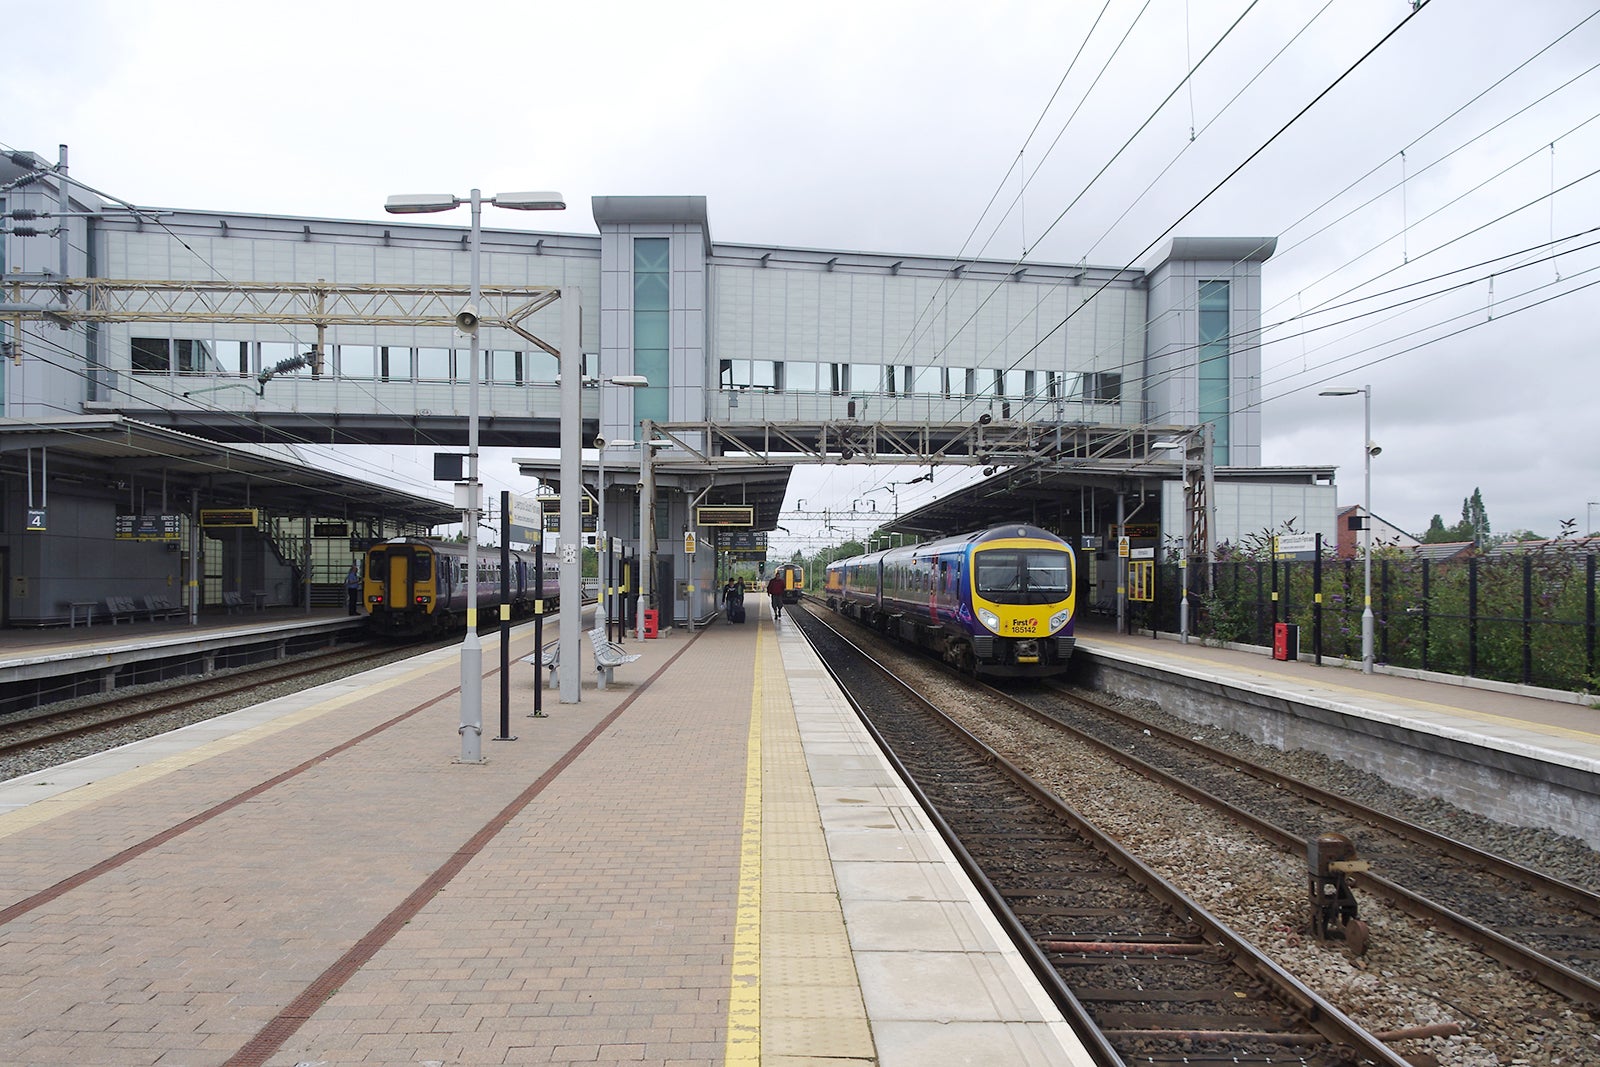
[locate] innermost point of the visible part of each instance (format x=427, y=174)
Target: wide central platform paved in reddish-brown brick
x=706, y=863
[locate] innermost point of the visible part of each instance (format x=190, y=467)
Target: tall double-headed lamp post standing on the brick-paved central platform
x=471, y=729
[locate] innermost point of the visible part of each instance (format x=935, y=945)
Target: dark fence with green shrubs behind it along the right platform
x=1524, y=618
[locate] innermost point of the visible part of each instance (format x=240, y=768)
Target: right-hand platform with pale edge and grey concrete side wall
x=1516, y=754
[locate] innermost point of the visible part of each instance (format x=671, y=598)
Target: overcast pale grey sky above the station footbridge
x=1434, y=194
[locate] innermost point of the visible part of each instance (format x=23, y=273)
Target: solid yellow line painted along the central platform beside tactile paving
x=745, y=994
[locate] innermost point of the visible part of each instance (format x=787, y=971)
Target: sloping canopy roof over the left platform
x=114, y=454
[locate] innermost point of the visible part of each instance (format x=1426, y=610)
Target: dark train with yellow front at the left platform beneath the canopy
x=415, y=588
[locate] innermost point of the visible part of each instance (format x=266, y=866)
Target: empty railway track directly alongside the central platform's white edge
x=1143, y=972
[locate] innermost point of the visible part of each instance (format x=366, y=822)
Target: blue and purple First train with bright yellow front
x=996, y=602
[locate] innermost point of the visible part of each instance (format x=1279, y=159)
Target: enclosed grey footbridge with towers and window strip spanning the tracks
x=209, y=322
